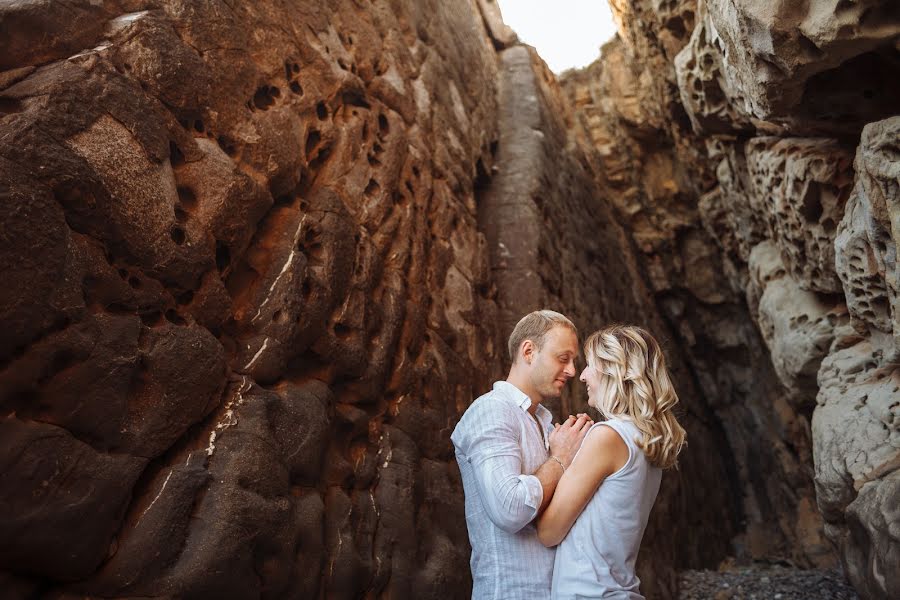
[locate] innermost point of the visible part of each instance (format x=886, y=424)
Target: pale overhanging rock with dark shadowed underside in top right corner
x=814, y=65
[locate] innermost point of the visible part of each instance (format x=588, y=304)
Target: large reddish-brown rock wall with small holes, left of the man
x=245, y=296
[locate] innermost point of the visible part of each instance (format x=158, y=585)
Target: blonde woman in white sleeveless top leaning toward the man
x=600, y=508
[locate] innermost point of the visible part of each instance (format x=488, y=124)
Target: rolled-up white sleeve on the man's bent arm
x=491, y=445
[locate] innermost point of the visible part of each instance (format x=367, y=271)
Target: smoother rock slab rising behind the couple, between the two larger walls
x=555, y=240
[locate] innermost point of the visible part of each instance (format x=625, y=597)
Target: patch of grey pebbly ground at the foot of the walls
x=765, y=582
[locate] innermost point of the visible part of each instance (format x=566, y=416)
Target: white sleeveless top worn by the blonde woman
x=596, y=559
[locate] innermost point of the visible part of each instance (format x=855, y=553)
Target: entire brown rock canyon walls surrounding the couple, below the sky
x=258, y=258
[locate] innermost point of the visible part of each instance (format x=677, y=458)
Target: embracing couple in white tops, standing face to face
x=558, y=511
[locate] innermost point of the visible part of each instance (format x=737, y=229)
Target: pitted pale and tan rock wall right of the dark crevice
x=753, y=152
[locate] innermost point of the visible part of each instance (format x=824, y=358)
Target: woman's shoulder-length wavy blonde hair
x=638, y=389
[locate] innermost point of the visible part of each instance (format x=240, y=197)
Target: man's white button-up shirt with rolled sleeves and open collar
x=498, y=448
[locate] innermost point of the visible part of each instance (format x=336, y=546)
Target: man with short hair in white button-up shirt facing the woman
x=511, y=459
